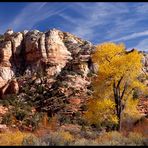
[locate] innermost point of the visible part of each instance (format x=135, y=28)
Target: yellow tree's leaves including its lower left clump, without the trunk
x=114, y=64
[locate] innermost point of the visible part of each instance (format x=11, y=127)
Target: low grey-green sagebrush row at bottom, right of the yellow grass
x=63, y=138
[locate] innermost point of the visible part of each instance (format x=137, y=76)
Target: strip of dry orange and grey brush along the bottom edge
x=46, y=136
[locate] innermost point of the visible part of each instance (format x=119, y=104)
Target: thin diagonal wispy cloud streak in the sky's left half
x=34, y=13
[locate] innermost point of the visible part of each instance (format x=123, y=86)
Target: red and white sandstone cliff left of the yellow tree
x=48, y=66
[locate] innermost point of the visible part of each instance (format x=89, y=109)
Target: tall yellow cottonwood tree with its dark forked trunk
x=116, y=79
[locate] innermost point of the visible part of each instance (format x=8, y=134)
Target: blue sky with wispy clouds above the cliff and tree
x=97, y=22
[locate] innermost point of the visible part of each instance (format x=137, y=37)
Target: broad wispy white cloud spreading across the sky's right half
x=122, y=16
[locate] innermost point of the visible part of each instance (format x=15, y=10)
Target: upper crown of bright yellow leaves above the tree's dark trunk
x=115, y=62
